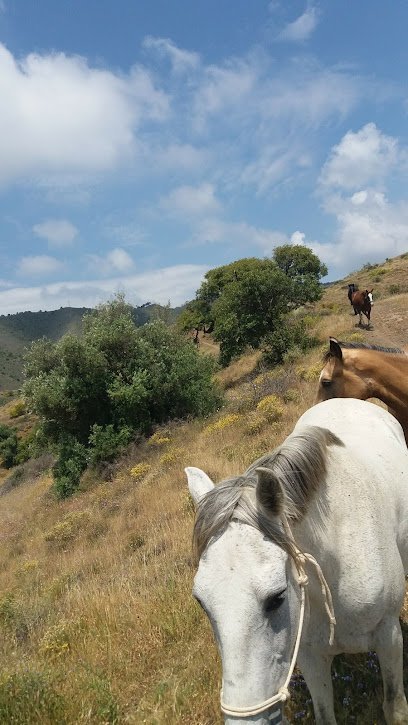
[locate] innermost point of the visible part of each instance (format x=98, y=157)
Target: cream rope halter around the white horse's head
x=299, y=560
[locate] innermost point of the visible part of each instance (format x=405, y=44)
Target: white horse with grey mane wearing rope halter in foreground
x=337, y=491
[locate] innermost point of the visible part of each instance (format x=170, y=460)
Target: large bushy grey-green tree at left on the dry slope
x=94, y=393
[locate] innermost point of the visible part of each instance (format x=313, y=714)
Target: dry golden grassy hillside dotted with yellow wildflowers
x=96, y=616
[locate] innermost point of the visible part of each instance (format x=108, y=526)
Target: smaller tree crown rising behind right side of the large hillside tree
x=304, y=269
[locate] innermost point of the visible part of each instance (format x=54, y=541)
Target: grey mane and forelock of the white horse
x=300, y=466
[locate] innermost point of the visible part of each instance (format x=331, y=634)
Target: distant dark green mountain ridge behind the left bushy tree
x=19, y=330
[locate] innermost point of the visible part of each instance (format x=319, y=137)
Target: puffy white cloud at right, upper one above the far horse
x=360, y=158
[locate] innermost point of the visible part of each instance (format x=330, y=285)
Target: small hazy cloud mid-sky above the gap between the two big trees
x=191, y=201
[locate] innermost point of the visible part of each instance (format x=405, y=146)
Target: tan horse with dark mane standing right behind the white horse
x=355, y=370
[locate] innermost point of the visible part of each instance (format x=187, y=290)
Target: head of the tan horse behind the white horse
x=339, y=378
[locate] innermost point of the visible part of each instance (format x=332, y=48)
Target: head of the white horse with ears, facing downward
x=246, y=586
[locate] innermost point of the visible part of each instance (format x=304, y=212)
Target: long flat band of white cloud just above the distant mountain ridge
x=176, y=284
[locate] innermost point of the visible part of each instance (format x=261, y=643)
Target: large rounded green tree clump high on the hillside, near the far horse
x=249, y=299
